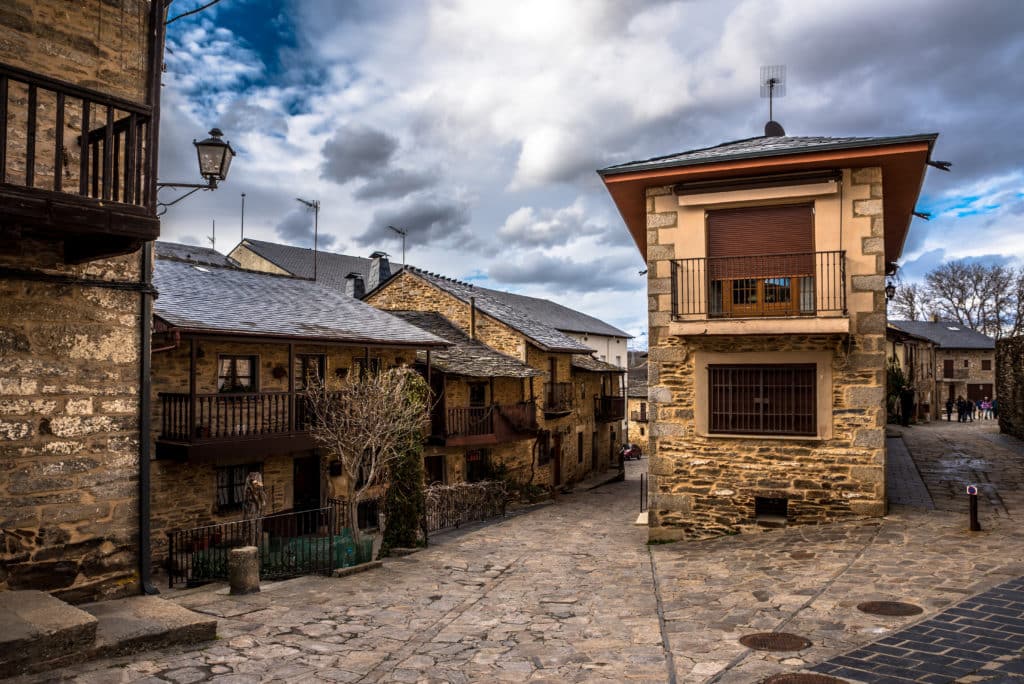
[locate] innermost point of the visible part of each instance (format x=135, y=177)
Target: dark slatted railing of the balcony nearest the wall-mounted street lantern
x=62, y=138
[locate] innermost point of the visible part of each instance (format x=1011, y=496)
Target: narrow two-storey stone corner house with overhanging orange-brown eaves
x=767, y=260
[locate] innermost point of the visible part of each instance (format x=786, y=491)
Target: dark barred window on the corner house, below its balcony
x=763, y=400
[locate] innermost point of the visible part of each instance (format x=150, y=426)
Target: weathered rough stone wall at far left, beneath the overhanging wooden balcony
x=69, y=429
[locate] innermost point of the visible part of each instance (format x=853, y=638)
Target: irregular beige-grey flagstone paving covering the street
x=571, y=592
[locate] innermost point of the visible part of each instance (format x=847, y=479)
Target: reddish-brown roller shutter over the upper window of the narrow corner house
x=749, y=232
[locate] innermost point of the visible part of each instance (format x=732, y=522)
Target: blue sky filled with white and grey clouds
x=478, y=126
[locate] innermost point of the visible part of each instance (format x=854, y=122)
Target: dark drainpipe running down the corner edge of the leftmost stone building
x=158, y=16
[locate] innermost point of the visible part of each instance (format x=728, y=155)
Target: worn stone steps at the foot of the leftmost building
x=42, y=633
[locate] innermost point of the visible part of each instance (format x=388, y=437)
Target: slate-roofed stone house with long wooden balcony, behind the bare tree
x=233, y=351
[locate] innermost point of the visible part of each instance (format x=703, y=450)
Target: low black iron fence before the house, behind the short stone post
x=314, y=542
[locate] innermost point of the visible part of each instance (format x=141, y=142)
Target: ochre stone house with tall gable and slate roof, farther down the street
x=578, y=399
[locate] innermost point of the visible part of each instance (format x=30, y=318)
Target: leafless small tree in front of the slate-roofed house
x=367, y=423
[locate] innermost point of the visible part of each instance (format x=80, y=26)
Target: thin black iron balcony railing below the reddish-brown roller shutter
x=775, y=285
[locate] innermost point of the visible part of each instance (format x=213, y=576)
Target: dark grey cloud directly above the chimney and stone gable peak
x=428, y=223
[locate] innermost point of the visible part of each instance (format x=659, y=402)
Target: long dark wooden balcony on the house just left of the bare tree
x=252, y=424
